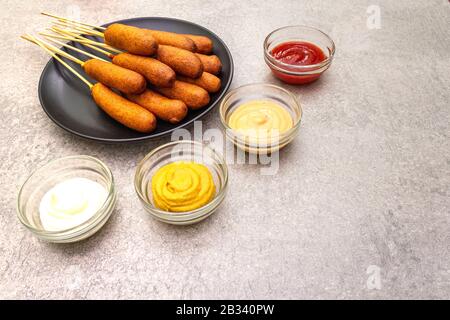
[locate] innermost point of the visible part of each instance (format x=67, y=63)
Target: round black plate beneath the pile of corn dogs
x=67, y=100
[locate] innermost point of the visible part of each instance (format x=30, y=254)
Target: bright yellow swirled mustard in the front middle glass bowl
x=182, y=186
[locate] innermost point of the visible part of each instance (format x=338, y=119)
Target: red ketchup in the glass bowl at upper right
x=297, y=53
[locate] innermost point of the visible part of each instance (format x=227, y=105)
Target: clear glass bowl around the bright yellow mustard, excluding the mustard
x=183, y=150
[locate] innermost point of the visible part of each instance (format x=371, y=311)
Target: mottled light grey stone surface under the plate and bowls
x=366, y=182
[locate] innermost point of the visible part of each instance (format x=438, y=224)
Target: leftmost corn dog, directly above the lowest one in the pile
x=114, y=76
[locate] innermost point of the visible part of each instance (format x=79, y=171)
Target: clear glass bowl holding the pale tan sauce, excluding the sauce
x=260, y=91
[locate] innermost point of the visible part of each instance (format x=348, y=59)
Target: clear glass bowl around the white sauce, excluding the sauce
x=56, y=171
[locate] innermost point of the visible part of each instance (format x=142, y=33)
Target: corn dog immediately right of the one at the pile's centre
x=182, y=61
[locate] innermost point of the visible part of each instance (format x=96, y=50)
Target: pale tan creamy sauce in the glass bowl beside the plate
x=260, y=119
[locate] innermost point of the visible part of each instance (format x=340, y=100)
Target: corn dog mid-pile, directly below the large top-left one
x=156, y=72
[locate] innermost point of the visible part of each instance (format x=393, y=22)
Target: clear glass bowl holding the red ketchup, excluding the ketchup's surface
x=298, y=74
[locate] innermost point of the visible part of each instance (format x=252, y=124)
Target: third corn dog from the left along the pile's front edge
x=193, y=96
